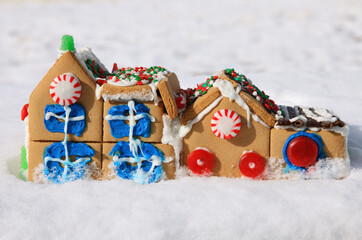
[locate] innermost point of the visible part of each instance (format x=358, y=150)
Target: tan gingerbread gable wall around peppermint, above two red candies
x=227, y=151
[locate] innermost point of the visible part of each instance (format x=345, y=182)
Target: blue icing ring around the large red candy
x=315, y=137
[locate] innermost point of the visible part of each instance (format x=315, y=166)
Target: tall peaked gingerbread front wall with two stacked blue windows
x=62, y=154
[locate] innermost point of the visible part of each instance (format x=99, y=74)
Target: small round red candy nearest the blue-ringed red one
x=251, y=165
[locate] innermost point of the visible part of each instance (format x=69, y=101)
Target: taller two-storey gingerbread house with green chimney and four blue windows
x=84, y=120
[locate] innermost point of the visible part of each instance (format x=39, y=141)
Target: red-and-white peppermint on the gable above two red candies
x=225, y=124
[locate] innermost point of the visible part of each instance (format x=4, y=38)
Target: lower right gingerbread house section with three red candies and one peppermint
x=231, y=128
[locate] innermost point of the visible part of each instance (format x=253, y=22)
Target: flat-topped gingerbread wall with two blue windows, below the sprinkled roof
x=148, y=162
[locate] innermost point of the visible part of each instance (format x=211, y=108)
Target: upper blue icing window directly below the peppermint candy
x=53, y=124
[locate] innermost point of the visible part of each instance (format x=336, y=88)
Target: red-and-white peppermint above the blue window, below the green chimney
x=65, y=89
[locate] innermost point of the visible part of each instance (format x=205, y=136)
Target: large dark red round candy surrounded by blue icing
x=302, y=151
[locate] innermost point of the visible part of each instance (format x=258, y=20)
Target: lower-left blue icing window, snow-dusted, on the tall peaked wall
x=55, y=172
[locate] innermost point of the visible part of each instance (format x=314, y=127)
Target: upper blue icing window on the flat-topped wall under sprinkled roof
x=119, y=128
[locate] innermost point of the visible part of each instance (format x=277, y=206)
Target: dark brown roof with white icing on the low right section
x=307, y=117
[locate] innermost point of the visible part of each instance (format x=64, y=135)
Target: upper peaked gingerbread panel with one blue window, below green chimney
x=41, y=101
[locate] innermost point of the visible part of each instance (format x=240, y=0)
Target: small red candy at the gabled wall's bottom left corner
x=200, y=161
